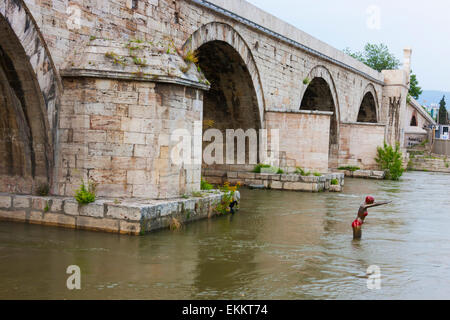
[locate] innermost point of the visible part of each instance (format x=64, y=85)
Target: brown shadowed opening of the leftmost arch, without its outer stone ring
x=25, y=136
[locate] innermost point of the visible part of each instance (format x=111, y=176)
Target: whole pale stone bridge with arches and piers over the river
x=94, y=89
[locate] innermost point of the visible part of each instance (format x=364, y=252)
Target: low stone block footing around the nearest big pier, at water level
x=128, y=217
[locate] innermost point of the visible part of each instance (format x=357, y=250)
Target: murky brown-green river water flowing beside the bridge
x=281, y=245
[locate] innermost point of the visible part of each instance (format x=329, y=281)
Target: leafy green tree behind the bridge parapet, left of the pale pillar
x=376, y=56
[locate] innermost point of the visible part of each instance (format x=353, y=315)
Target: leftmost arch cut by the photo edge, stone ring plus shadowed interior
x=30, y=88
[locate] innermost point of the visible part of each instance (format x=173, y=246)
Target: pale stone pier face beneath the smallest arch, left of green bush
x=359, y=142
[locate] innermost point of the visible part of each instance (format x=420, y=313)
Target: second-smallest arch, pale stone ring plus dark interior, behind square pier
x=320, y=94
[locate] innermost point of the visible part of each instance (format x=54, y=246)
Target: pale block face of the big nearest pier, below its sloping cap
x=117, y=133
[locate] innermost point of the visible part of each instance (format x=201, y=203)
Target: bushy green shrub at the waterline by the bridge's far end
x=390, y=160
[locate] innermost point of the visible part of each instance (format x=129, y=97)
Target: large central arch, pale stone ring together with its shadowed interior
x=235, y=99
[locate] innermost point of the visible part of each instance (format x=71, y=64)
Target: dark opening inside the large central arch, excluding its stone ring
x=231, y=103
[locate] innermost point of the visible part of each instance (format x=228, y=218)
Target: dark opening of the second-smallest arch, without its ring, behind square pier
x=319, y=97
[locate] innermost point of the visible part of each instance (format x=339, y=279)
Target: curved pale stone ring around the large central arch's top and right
x=222, y=32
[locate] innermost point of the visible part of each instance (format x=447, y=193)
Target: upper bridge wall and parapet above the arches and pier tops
x=281, y=67
